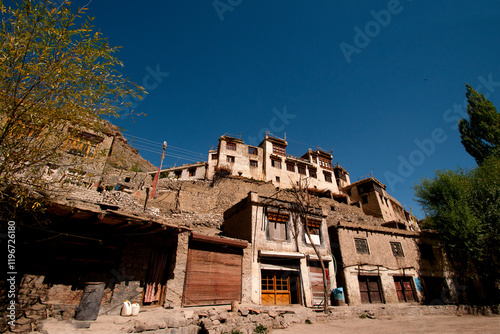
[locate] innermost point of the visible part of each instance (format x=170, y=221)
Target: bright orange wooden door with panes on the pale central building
x=275, y=288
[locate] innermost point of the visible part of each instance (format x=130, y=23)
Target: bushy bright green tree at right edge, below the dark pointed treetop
x=464, y=208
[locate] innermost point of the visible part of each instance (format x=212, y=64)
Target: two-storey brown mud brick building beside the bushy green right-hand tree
x=378, y=264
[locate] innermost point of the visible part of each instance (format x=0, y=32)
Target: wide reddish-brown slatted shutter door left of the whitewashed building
x=213, y=275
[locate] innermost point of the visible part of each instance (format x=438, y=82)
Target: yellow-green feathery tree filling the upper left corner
x=56, y=72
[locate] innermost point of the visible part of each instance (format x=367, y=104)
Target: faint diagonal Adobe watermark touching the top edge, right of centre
x=363, y=37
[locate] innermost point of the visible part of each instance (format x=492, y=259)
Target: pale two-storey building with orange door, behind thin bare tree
x=283, y=266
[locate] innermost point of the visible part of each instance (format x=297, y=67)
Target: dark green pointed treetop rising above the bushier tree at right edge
x=481, y=134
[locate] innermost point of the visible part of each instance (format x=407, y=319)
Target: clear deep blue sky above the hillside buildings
x=368, y=79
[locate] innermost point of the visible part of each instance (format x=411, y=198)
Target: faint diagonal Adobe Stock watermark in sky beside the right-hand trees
x=427, y=146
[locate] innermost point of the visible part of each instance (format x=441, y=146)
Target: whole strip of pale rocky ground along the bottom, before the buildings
x=291, y=319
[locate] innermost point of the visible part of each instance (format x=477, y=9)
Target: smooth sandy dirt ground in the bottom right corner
x=399, y=324
